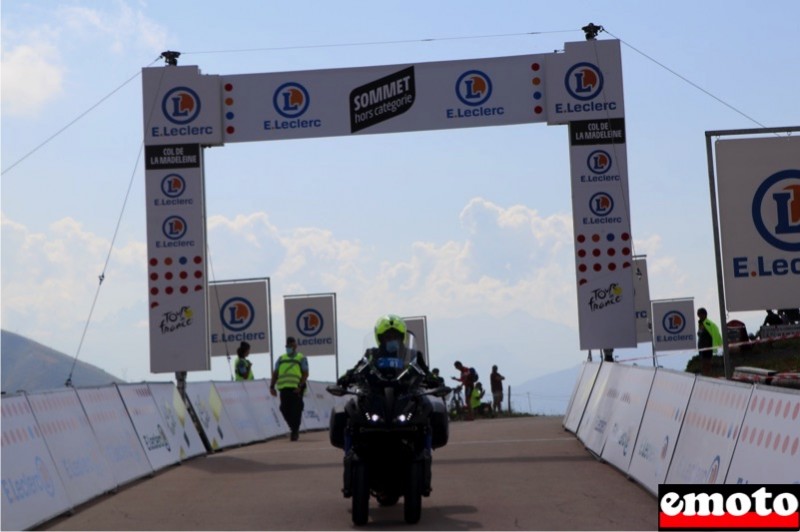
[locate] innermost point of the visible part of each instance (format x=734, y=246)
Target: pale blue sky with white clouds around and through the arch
x=471, y=228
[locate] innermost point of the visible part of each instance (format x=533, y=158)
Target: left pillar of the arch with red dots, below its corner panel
x=176, y=259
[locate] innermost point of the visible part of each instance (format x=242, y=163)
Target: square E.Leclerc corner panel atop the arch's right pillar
x=585, y=83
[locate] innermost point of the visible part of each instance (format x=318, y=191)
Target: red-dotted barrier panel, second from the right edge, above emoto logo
x=709, y=433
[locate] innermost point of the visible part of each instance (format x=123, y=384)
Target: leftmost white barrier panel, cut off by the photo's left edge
x=32, y=489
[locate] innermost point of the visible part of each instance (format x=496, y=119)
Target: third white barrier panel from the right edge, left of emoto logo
x=663, y=417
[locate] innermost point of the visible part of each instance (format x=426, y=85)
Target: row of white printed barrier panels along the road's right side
x=660, y=426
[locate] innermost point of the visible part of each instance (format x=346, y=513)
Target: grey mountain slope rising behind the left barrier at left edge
x=33, y=367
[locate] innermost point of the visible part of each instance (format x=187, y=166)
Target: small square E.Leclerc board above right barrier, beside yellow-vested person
x=673, y=325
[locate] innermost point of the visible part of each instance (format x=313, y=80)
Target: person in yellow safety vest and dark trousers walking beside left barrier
x=289, y=377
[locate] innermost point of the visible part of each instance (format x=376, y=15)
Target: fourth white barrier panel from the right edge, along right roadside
x=628, y=402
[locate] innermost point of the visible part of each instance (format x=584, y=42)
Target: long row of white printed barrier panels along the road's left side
x=62, y=448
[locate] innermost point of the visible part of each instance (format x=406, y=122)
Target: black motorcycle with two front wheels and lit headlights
x=396, y=417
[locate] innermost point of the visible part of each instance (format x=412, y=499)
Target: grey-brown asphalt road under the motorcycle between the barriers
x=522, y=473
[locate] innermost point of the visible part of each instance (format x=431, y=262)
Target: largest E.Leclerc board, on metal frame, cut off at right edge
x=759, y=198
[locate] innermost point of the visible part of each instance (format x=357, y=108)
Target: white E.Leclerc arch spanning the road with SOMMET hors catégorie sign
x=185, y=111
